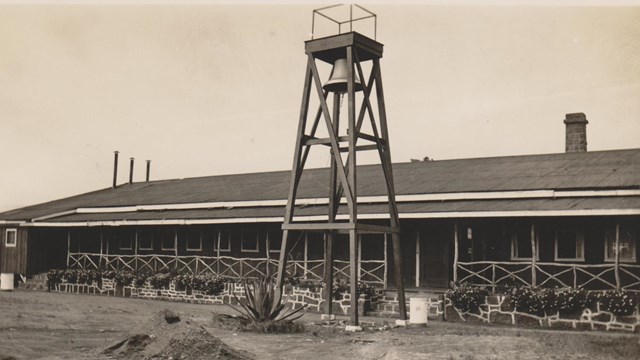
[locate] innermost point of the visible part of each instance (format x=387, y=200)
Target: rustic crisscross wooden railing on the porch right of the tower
x=588, y=276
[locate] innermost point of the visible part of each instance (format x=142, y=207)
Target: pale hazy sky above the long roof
x=207, y=88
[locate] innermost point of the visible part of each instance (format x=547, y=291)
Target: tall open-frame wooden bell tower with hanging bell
x=349, y=53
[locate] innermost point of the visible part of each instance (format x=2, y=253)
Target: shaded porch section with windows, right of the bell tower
x=588, y=253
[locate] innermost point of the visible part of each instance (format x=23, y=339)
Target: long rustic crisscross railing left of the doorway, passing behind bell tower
x=371, y=271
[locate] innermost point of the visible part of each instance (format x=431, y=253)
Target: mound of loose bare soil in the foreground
x=166, y=336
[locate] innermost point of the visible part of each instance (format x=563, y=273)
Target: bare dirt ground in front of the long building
x=37, y=325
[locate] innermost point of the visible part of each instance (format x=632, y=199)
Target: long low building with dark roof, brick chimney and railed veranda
x=569, y=219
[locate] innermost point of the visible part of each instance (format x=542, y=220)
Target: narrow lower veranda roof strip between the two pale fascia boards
x=562, y=204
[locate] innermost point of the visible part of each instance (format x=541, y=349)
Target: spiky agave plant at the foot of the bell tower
x=264, y=307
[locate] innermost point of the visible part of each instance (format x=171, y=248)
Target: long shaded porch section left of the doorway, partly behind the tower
x=242, y=251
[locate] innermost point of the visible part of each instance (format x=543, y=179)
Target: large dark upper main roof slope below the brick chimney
x=616, y=169
